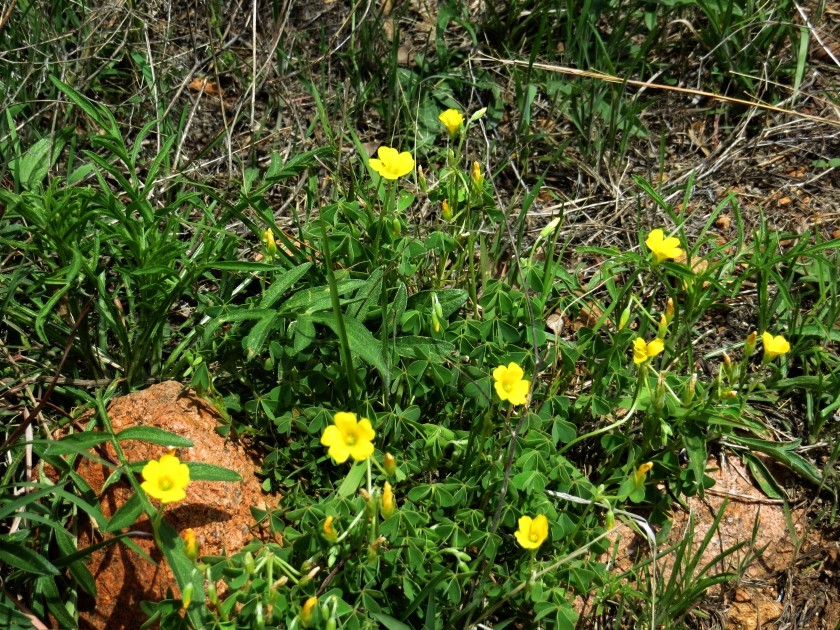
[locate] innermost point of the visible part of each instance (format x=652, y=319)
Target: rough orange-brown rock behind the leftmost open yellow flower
x=218, y=512
